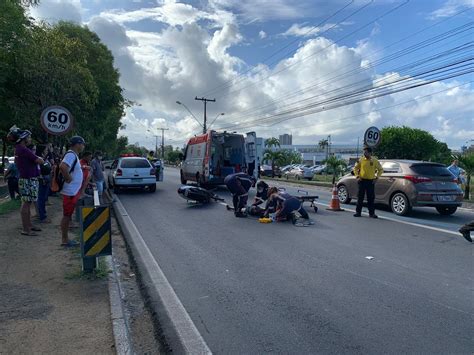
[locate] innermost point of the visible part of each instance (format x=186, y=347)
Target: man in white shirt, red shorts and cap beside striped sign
x=70, y=168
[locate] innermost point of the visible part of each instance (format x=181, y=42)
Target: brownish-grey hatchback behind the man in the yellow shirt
x=405, y=184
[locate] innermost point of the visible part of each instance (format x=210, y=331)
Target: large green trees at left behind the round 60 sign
x=64, y=64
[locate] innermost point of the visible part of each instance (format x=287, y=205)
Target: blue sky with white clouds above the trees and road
x=261, y=58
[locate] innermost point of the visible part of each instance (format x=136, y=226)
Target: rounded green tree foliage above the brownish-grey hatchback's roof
x=411, y=143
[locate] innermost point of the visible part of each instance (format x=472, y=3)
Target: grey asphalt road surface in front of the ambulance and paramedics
x=256, y=288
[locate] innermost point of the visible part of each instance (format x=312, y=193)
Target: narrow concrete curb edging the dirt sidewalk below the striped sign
x=123, y=345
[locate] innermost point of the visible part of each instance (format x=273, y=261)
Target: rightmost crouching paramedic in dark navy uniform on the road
x=286, y=206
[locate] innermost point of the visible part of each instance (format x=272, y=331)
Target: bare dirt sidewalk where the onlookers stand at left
x=46, y=305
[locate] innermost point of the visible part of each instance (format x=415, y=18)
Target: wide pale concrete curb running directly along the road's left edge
x=178, y=328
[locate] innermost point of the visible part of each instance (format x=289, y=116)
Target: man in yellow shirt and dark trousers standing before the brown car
x=367, y=171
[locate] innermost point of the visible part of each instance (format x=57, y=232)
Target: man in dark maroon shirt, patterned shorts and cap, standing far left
x=27, y=164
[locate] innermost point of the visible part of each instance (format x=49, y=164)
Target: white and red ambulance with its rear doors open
x=210, y=157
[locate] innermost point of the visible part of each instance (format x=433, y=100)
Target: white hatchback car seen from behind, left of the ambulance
x=131, y=172
